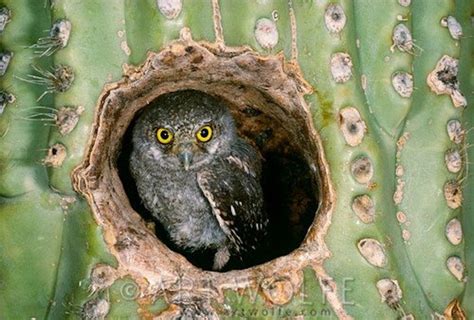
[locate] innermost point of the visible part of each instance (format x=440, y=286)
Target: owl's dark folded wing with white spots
x=236, y=198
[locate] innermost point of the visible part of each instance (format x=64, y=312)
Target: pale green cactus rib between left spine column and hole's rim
x=91, y=70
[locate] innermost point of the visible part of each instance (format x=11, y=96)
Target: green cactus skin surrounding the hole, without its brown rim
x=400, y=241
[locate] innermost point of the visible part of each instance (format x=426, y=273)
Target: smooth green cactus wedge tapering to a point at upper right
x=381, y=60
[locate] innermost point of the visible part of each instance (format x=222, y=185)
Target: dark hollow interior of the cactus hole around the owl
x=289, y=179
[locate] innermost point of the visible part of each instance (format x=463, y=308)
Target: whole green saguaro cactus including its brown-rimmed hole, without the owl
x=373, y=97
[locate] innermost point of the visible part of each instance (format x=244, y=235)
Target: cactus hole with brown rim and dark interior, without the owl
x=265, y=95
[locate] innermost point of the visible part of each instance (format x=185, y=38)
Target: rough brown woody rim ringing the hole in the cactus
x=138, y=251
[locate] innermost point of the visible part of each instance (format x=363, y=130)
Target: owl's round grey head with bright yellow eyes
x=184, y=129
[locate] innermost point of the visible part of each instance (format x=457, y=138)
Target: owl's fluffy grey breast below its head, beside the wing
x=175, y=199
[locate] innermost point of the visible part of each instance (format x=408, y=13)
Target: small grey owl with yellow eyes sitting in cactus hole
x=197, y=177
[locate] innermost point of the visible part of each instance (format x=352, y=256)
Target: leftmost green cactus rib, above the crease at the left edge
x=23, y=141
